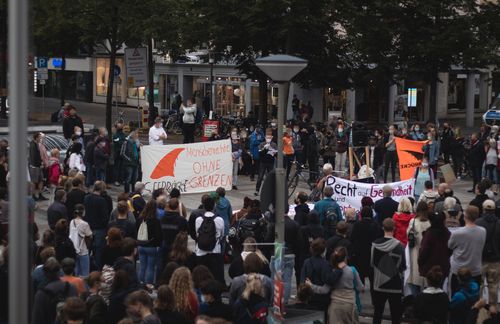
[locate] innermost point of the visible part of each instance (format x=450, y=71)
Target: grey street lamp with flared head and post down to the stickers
x=281, y=69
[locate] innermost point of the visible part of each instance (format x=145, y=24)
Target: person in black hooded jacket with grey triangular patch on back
x=388, y=276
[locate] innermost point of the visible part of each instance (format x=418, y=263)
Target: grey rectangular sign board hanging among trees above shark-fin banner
x=136, y=62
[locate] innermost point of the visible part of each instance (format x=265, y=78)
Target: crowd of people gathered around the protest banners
x=432, y=257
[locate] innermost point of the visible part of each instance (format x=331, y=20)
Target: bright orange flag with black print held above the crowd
x=410, y=154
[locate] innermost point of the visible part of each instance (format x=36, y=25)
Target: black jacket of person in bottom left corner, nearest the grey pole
x=44, y=307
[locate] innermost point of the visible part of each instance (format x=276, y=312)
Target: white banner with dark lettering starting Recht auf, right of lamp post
x=348, y=194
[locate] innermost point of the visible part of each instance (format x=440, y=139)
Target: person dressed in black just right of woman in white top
x=97, y=216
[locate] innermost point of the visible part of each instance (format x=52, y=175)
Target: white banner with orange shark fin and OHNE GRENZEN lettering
x=197, y=167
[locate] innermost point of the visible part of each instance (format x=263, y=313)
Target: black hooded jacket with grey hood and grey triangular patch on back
x=388, y=262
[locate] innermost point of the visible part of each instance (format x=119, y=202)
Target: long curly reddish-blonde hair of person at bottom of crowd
x=182, y=285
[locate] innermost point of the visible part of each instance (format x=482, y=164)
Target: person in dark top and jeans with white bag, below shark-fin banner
x=149, y=238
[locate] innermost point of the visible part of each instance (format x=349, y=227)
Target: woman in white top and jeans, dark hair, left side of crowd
x=80, y=234
